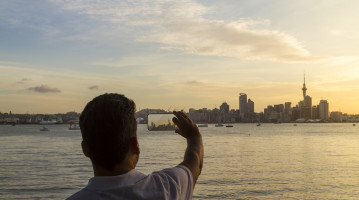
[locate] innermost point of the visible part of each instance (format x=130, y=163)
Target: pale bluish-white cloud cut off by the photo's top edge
x=134, y=12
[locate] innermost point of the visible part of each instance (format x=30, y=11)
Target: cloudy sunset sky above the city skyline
x=56, y=55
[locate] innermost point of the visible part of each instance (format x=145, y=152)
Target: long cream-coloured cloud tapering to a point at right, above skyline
x=234, y=39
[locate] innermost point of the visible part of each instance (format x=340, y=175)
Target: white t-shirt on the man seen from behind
x=171, y=183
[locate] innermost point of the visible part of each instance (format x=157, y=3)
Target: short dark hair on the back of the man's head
x=107, y=125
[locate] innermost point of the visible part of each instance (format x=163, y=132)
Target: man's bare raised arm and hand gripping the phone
x=193, y=157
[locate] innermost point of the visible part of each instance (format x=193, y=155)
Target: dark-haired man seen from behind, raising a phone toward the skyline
x=108, y=128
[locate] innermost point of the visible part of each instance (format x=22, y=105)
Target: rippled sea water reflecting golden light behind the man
x=272, y=161
